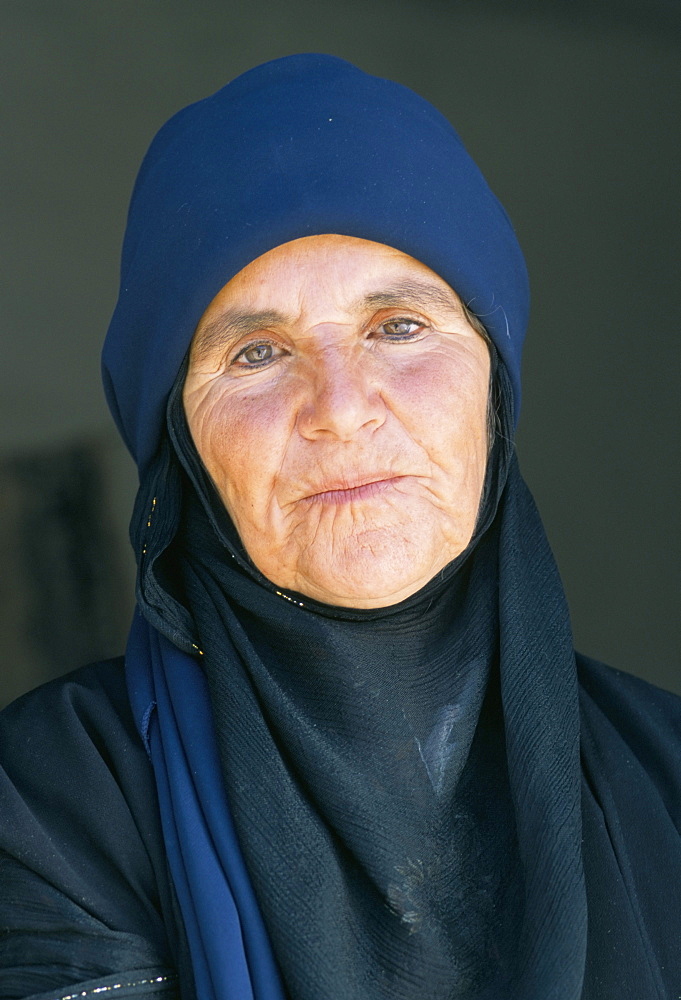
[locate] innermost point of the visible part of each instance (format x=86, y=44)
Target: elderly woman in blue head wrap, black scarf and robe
x=352, y=753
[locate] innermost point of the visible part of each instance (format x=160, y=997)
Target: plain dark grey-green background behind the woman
x=571, y=108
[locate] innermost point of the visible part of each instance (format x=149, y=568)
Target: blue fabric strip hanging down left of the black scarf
x=231, y=954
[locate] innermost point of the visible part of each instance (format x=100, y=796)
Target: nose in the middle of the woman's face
x=341, y=397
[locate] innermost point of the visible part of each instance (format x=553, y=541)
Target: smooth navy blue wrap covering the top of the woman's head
x=300, y=146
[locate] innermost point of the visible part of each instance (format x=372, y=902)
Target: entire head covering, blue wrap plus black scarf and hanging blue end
x=355, y=804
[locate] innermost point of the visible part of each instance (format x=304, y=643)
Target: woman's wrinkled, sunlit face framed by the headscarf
x=337, y=396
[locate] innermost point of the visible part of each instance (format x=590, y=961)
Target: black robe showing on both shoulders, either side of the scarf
x=84, y=887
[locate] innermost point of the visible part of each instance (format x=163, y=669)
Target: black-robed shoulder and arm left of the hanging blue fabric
x=84, y=890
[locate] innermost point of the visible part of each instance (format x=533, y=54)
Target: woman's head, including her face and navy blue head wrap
x=303, y=194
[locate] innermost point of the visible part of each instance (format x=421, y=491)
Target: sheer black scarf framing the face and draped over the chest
x=366, y=756
